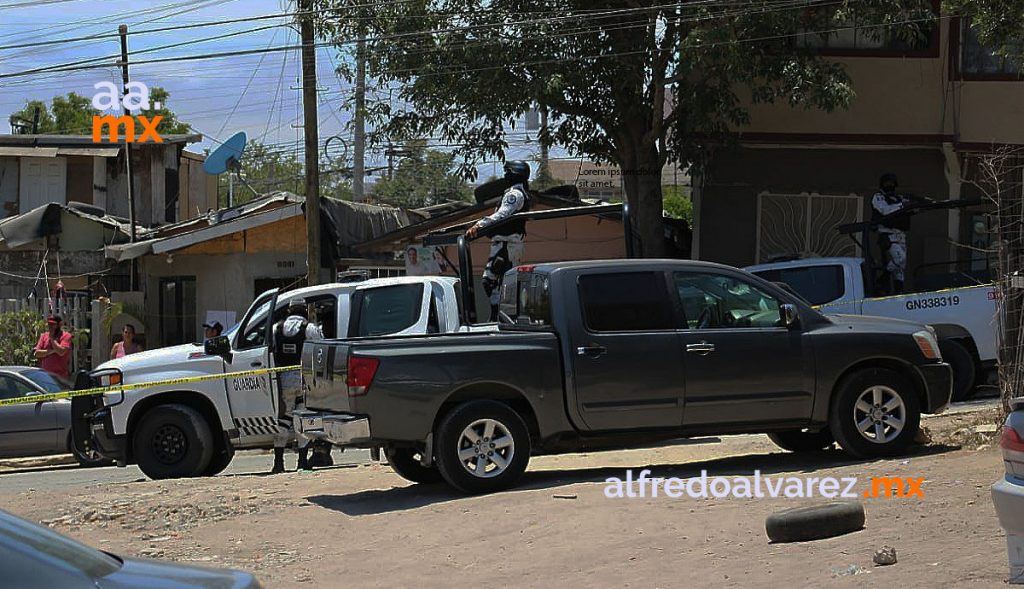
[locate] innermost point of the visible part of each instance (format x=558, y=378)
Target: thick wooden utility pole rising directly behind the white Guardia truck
x=312, y=132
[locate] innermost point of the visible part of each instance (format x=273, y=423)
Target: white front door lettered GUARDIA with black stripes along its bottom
x=253, y=399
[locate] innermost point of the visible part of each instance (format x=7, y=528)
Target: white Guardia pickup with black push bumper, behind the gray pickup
x=193, y=429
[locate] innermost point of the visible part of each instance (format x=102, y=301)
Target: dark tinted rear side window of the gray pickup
x=626, y=302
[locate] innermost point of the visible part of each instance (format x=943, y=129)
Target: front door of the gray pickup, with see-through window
x=743, y=365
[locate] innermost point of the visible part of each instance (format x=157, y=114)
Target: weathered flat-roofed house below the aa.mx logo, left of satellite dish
x=170, y=185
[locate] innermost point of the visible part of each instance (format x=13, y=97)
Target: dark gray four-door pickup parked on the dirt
x=606, y=355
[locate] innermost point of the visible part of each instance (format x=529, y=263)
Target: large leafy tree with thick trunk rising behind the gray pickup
x=635, y=83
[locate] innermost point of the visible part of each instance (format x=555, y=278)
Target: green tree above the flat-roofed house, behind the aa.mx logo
x=72, y=115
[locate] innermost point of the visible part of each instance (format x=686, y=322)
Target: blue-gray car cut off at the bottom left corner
x=36, y=558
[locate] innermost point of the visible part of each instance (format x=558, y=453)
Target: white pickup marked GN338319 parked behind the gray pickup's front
x=965, y=319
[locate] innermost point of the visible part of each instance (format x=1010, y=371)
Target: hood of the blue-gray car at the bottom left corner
x=137, y=573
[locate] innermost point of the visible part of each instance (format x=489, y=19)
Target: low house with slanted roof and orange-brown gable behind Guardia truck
x=212, y=268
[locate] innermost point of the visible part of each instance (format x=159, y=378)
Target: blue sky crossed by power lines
x=258, y=95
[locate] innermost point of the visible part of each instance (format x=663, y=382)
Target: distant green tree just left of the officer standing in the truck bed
x=424, y=178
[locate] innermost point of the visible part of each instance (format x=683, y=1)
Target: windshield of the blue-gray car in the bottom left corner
x=46, y=545
